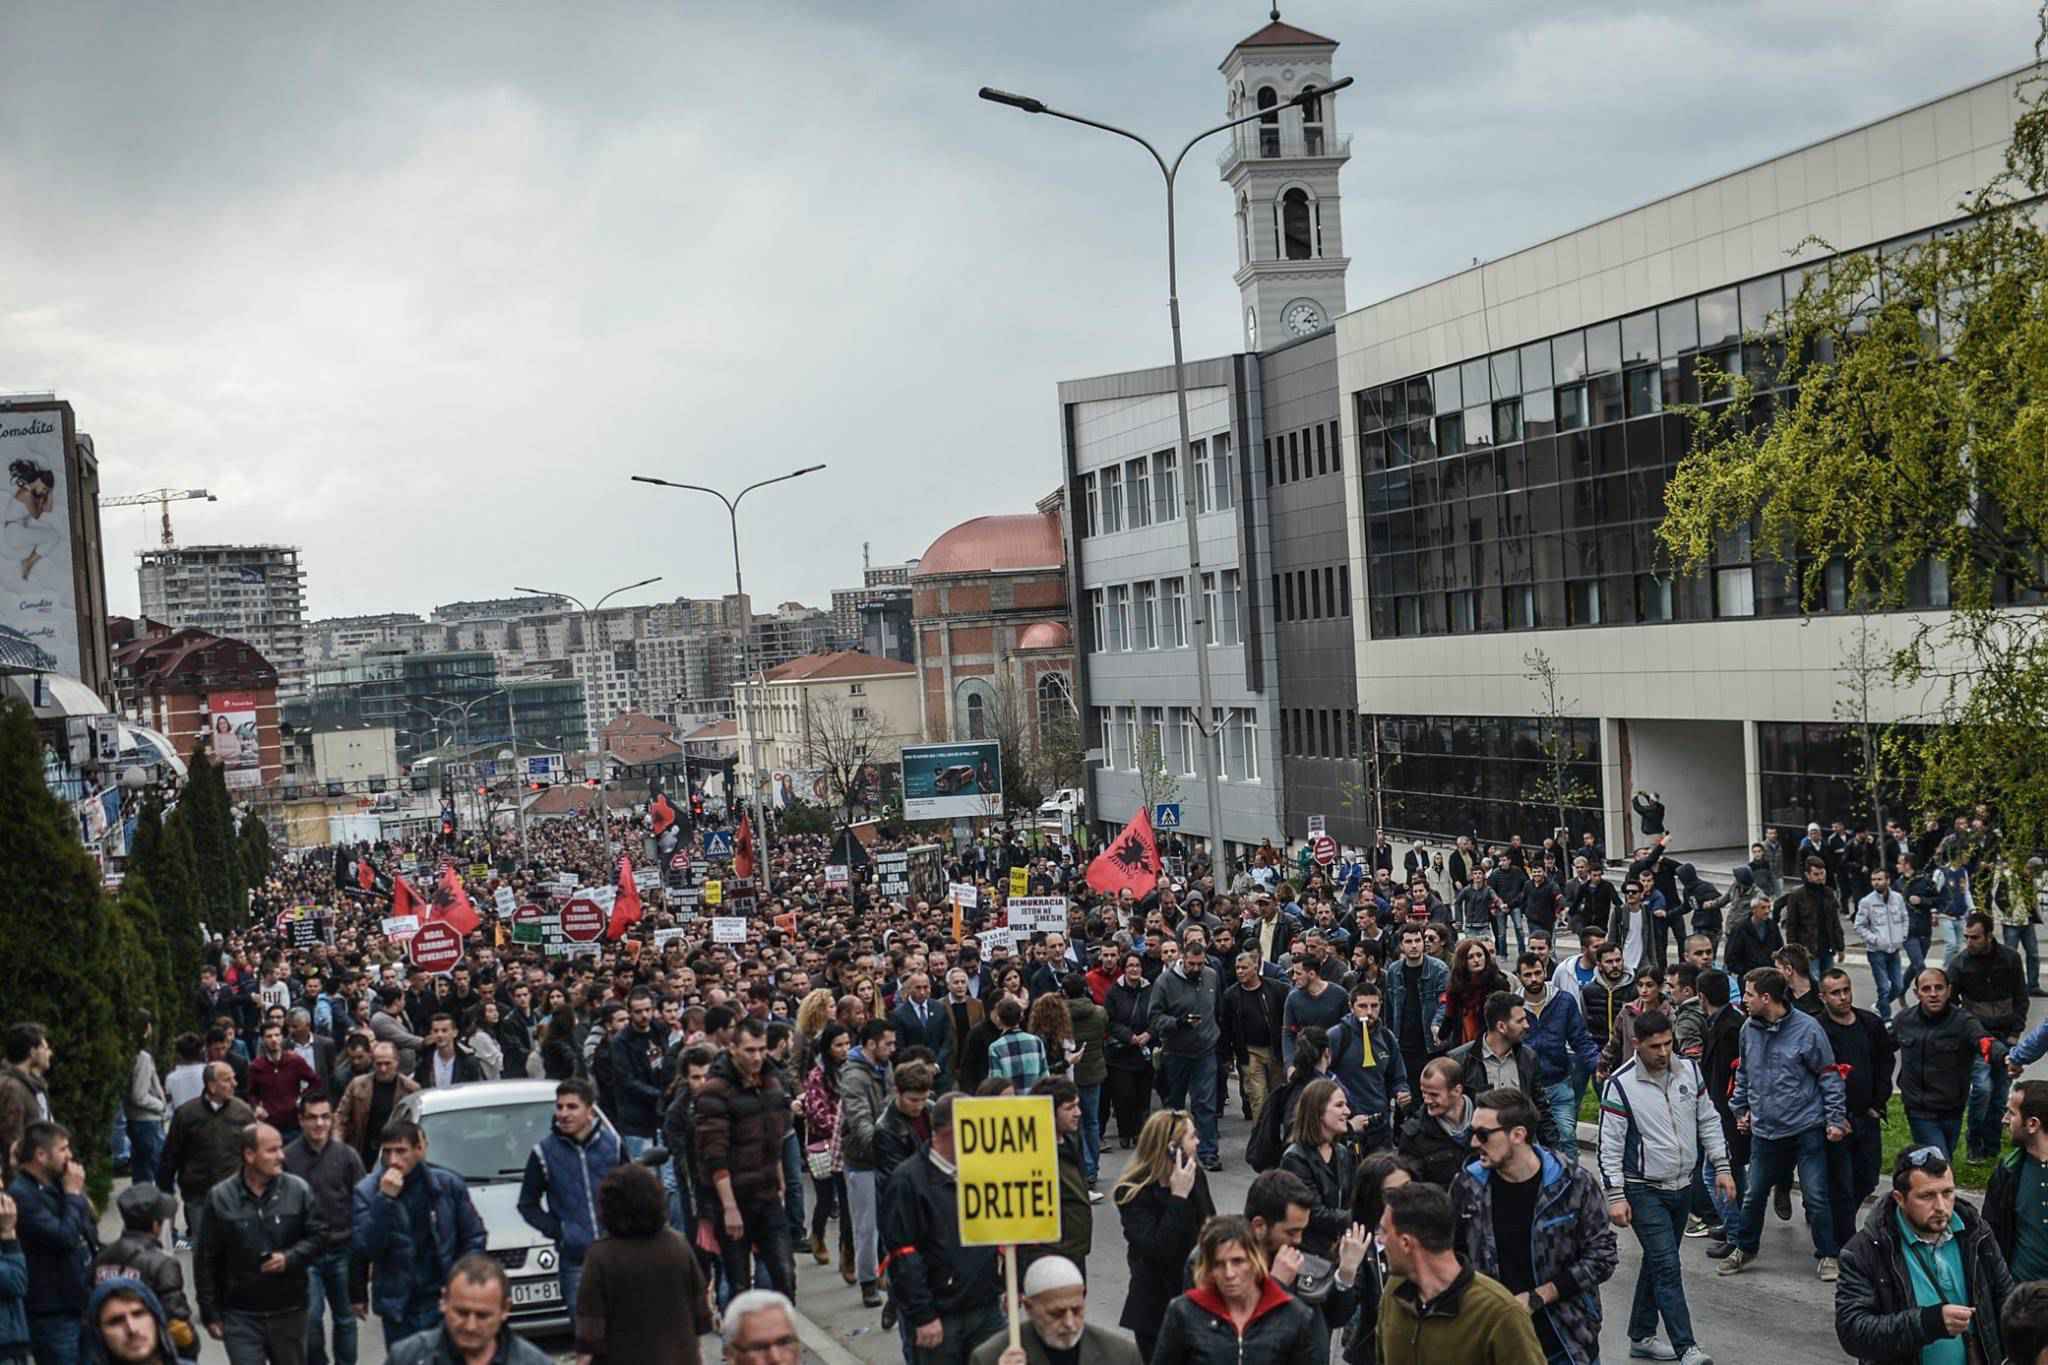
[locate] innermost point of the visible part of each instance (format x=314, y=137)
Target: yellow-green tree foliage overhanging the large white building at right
x=1910, y=443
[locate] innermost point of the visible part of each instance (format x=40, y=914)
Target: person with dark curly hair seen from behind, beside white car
x=642, y=1298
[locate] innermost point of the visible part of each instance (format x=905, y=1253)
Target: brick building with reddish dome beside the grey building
x=990, y=629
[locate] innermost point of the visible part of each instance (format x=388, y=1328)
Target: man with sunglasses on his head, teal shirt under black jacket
x=1924, y=1278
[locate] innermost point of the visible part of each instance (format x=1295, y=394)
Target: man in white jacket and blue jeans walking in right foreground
x=1656, y=1120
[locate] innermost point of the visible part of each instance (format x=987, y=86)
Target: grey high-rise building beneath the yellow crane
x=249, y=592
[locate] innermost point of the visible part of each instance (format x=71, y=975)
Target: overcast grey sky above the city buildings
x=417, y=288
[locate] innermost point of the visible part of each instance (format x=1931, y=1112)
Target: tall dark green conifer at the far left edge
x=56, y=940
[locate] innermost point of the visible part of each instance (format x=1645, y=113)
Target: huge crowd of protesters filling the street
x=1412, y=1090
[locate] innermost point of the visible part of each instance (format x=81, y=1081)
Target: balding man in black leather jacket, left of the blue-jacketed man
x=261, y=1233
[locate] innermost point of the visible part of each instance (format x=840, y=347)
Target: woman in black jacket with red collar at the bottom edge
x=1236, y=1311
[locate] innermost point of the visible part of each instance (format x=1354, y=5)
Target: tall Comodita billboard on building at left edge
x=38, y=595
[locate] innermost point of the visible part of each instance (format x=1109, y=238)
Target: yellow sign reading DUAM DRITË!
x=1009, y=1170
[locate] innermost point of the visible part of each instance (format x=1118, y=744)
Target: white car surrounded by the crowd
x=484, y=1133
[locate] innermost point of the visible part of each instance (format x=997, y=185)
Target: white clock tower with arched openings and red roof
x=1283, y=175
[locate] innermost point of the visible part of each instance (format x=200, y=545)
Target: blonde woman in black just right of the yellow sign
x=1164, y=1200
